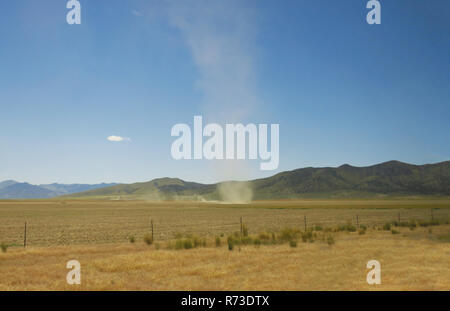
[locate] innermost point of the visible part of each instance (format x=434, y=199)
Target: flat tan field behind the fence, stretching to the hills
x=83, y=222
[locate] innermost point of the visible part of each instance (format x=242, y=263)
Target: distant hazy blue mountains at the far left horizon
x=11, y=189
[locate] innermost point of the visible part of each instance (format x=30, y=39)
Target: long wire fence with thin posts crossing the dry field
x=164, y=225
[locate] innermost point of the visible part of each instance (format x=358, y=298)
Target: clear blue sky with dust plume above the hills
x=341, y=90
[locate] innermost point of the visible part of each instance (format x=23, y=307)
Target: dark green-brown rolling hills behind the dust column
x=391, y=178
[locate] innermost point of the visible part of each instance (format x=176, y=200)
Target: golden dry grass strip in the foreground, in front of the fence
x=412, y=260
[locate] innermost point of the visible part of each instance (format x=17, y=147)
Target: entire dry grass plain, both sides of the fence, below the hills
x=96, y=233
